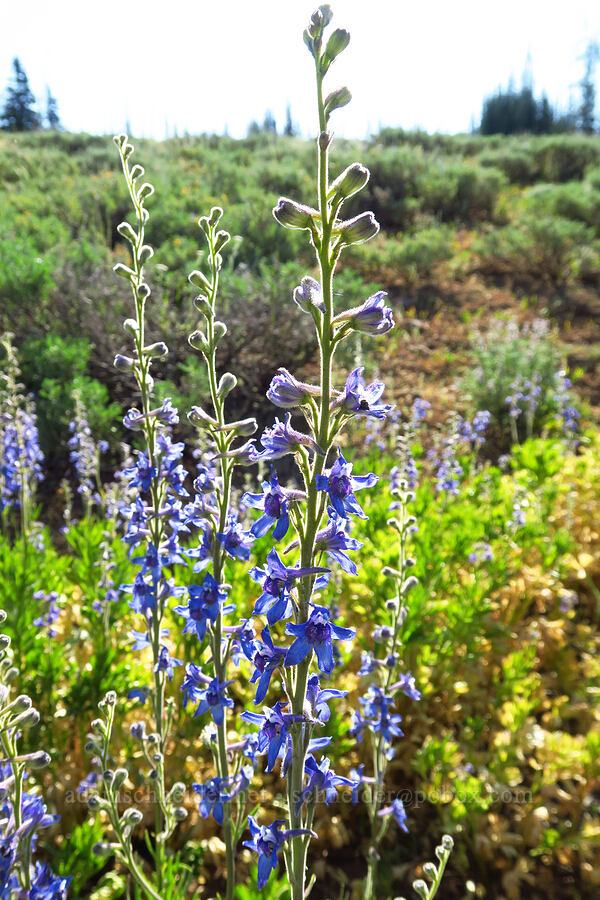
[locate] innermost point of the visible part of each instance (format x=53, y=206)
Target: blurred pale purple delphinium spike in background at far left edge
x=20, y=455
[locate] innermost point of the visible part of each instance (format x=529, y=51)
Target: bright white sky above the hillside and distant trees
x=204, y=66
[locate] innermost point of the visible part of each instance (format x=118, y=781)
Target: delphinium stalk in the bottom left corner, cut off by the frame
x=22, y=814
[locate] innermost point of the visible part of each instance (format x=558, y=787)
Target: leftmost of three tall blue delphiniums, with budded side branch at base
x=154, y=521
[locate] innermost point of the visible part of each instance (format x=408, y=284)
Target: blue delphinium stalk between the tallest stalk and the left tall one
x=223, y=538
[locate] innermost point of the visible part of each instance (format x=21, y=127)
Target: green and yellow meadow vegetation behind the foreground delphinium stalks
x=490, y=253
